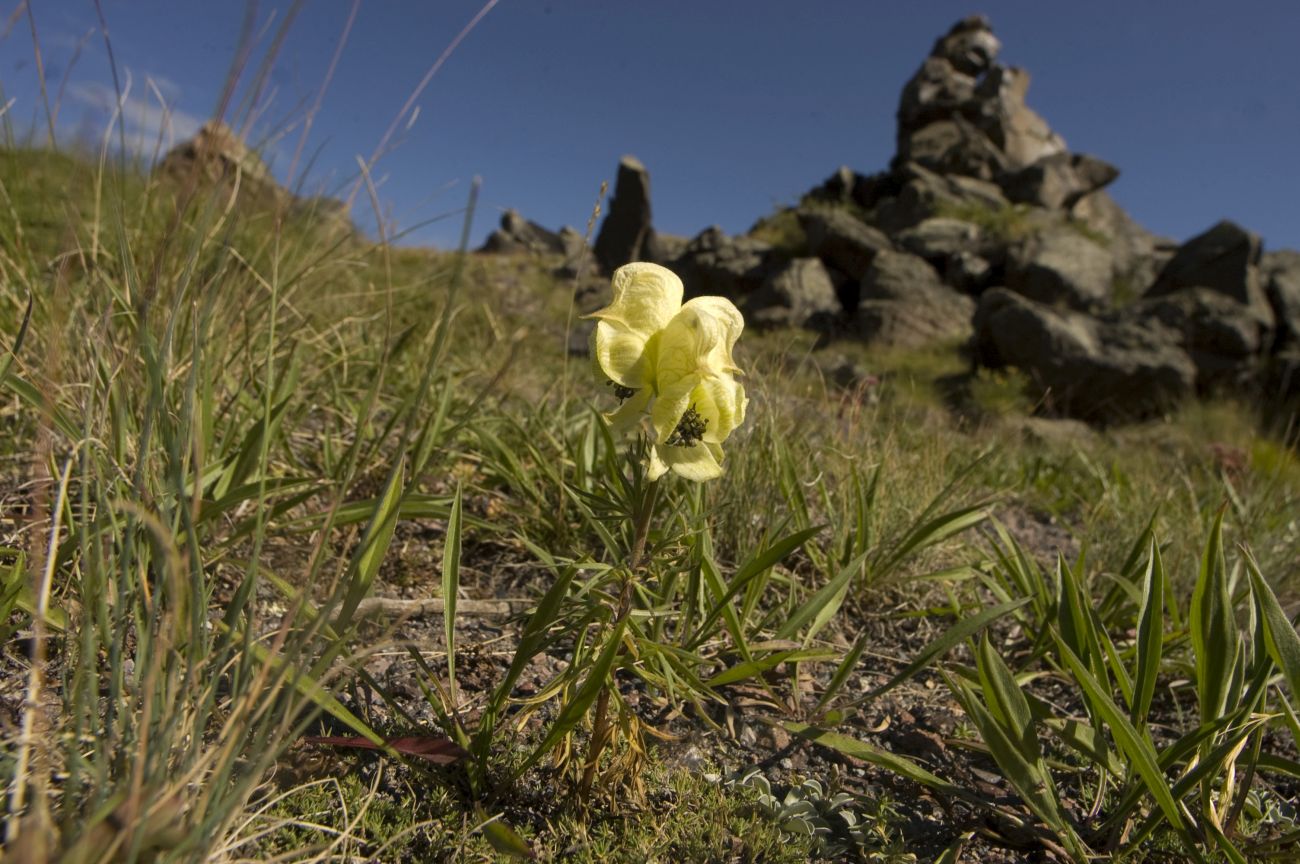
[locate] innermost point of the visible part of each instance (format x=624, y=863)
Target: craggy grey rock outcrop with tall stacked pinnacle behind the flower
x=986, y=229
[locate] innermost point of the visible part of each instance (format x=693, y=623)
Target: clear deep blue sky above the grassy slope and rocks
x=734, y=107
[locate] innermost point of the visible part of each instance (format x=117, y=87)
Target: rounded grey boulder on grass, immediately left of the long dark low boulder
x=902, y=302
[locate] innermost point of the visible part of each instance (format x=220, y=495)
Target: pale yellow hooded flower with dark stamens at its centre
x=674, y=361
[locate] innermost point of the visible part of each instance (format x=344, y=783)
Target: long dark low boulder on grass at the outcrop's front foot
x=1095, y=370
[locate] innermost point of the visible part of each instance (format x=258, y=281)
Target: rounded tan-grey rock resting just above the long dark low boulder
x=1061, y=267
